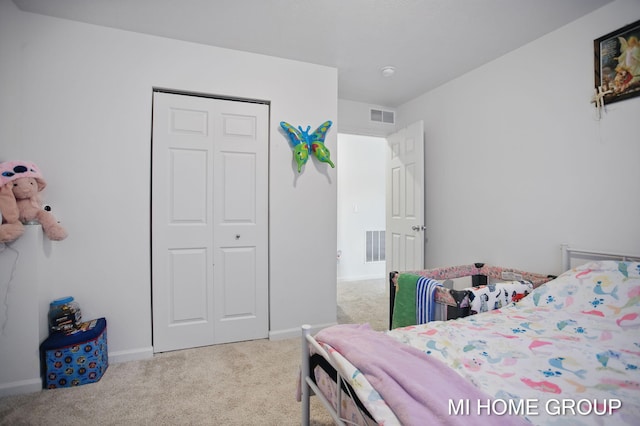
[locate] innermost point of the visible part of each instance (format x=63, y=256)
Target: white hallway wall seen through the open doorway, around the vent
x=361, y=203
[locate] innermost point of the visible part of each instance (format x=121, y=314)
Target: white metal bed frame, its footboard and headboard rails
x=309, y=387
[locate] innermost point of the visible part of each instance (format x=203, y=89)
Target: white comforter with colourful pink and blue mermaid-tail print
x=568, y=353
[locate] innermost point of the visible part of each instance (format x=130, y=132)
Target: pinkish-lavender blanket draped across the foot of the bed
x=414, y=385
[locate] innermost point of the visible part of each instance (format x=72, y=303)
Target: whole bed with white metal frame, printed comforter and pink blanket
x=567, y=353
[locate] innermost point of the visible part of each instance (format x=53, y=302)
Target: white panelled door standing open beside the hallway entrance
x=405, y=235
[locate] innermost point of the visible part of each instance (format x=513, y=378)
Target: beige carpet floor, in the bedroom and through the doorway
x=246, y=383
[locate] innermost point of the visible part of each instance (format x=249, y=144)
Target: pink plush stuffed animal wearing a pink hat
x=26, y=183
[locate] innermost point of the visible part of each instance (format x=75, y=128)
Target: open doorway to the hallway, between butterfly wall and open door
x=361, y=186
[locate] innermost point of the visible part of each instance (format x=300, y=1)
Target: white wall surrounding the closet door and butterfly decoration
x=76, y=100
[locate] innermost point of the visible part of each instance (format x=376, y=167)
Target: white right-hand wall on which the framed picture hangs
x=517, y=163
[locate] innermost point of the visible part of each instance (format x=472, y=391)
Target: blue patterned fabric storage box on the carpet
x=78, y=358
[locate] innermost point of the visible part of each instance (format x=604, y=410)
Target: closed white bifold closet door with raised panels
x=209, y=217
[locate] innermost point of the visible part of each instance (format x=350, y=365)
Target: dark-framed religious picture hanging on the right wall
x=617, y=63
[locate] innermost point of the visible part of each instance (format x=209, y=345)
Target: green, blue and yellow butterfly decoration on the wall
x=303, y=142
